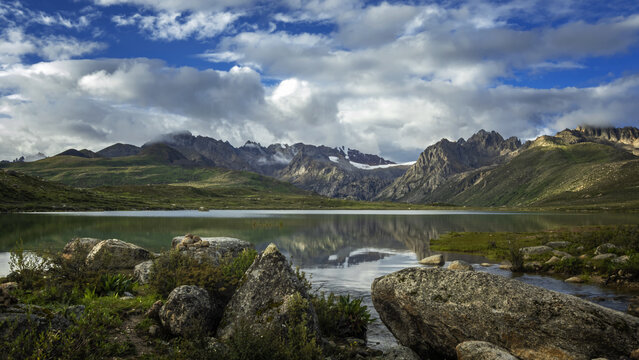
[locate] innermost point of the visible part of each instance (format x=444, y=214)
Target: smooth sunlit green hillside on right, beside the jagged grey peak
x=584, y=175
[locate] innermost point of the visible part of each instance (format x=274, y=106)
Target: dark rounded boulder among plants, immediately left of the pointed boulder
x=187, y=312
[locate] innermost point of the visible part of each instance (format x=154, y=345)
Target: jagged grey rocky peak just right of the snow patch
x=445, y=159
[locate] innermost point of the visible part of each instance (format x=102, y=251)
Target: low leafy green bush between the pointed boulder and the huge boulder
x=341, y=316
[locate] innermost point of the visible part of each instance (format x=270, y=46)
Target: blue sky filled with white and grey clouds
x=385, y=77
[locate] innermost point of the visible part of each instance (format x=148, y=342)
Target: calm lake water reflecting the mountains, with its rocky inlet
x=343, y=251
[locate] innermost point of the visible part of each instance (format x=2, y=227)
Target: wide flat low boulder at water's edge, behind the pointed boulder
x=212, y=248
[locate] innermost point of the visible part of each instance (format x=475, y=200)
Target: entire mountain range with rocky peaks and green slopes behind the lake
x=585, y=167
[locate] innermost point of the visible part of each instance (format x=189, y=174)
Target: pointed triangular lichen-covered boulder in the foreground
x=270, y=295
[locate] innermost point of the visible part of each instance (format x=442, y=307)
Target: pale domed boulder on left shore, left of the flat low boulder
x=116, y=254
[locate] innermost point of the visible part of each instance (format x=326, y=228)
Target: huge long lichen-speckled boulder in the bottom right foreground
x=432, y=310
